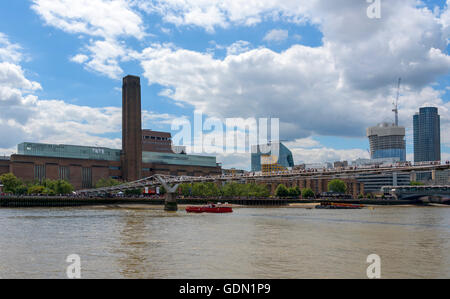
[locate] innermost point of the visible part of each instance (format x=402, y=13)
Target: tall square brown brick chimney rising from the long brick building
x=131, y=129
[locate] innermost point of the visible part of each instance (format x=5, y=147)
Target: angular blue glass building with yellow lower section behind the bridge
x=273, y=156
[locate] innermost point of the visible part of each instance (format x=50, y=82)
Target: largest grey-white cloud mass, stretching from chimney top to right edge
x=336, y=89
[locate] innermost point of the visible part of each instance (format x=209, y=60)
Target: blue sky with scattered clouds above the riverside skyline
x=324, y=68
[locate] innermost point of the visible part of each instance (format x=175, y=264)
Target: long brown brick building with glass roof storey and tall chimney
x=143, y=153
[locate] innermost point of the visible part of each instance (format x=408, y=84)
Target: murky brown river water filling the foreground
x=146, y=242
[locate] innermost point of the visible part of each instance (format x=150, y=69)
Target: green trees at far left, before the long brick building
x=14, y=185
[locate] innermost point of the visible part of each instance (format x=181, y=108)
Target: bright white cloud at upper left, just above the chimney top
x=106, y=21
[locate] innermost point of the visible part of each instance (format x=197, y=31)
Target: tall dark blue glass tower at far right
x=427, y=135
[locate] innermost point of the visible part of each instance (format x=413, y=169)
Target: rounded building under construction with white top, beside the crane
x=387, y=141
